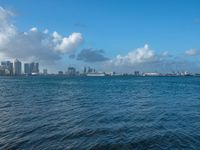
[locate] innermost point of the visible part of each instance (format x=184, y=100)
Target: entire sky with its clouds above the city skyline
x=109, y=35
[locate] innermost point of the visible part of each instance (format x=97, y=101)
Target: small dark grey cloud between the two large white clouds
x=90, y=55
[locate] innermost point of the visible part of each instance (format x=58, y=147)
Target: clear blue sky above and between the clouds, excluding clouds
x=116, y=27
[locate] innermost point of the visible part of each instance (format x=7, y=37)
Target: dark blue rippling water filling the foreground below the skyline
x=100, y=113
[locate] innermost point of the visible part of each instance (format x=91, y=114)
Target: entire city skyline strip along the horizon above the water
x=8, y=68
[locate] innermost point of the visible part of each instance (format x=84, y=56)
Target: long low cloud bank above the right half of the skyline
x=147, y=60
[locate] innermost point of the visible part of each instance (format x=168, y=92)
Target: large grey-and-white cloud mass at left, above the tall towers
x=34, y=44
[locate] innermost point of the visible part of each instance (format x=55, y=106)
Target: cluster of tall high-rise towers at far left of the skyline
x=15, y=68
